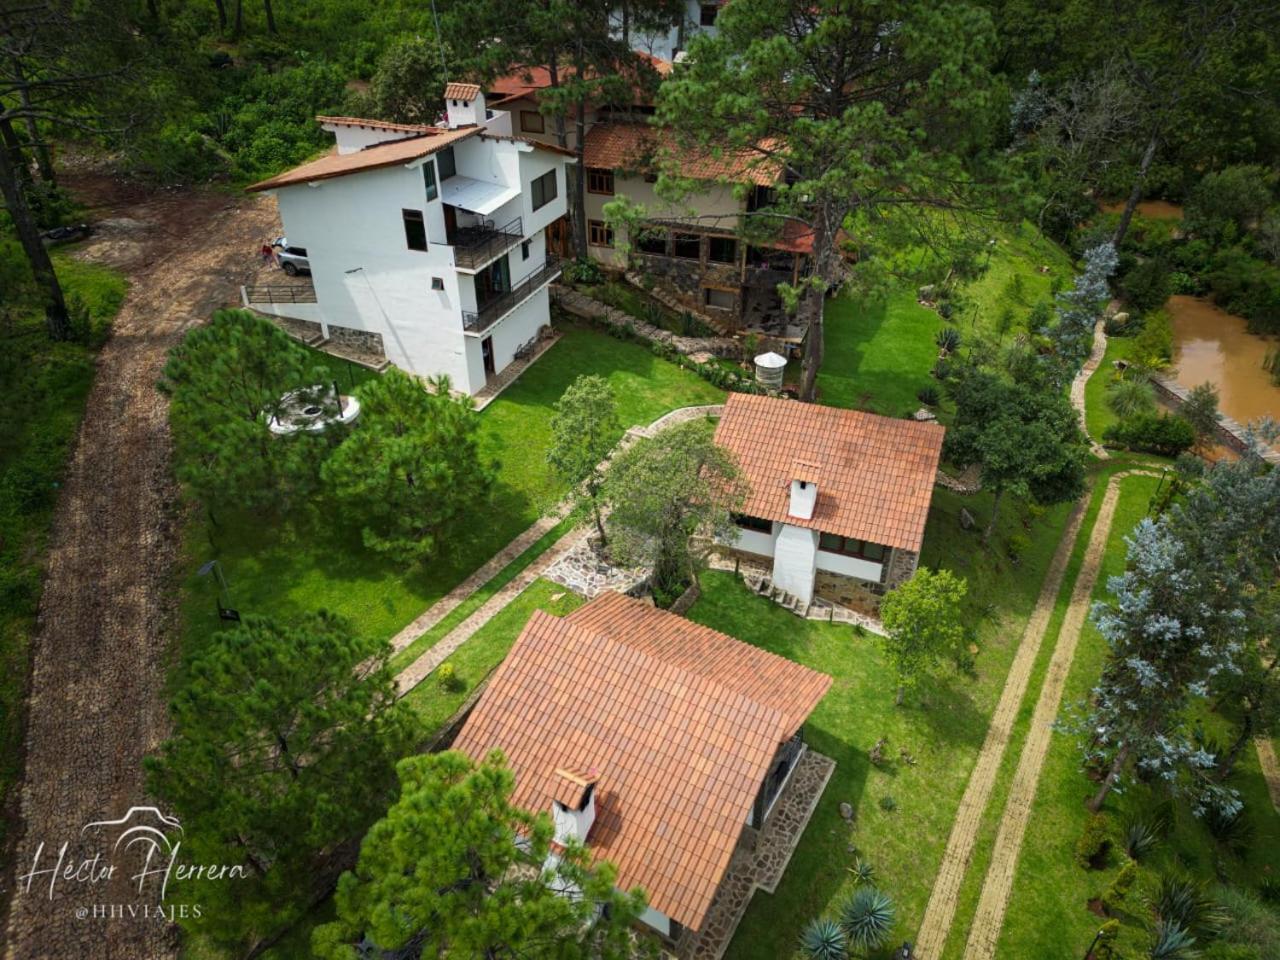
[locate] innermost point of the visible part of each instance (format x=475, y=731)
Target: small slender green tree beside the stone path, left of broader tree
x=584, y=431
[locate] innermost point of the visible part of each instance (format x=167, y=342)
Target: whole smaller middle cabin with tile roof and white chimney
x=839, y=499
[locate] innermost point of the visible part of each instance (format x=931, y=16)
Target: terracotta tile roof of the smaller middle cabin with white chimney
x=876, y=476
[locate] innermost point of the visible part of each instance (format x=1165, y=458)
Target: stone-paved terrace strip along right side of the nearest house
x=761, y=860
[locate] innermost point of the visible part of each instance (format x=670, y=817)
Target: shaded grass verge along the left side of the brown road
x=45, y=386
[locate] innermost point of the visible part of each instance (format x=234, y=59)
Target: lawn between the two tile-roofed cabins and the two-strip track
x=943, y=726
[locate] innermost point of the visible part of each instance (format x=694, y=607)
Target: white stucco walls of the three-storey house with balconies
x=367, y=278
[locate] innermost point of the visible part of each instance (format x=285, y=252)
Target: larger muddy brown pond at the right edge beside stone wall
x=1213, y=345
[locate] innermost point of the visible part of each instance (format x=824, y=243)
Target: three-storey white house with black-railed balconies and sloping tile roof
x=427, y=244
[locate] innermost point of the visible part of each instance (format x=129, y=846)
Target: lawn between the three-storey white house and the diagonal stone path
x=316, y=561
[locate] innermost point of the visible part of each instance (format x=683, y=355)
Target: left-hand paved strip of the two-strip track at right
x=964, y=833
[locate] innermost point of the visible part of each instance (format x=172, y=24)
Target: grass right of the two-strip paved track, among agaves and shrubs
x=1048, y=913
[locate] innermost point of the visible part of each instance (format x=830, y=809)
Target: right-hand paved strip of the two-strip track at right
x=999, y=885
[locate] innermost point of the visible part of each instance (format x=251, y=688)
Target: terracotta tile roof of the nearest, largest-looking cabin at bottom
x=680, y=723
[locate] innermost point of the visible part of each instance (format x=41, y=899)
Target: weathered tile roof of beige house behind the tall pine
x=637, y=147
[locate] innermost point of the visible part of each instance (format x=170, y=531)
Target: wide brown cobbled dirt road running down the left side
x=107, y=612
